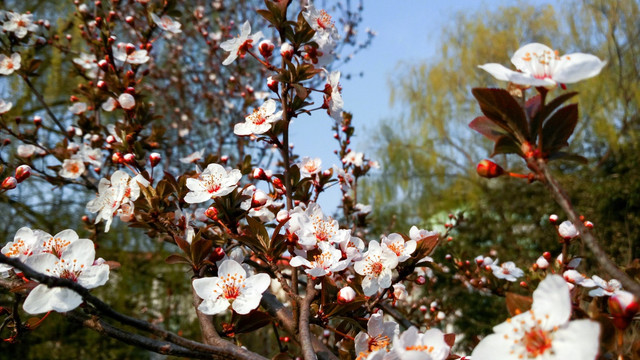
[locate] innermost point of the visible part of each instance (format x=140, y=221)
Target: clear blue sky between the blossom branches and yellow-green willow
x=407, y=30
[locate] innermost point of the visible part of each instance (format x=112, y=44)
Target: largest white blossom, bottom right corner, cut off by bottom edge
x=544, y=332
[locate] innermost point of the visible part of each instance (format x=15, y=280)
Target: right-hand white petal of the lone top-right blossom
x=574, y=67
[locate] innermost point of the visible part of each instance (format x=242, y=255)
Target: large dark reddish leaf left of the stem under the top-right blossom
x=499, y=106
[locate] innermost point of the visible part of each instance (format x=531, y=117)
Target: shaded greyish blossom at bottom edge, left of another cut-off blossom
x=377, y=337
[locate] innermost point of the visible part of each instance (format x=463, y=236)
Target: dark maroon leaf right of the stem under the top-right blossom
x=558, y=128
